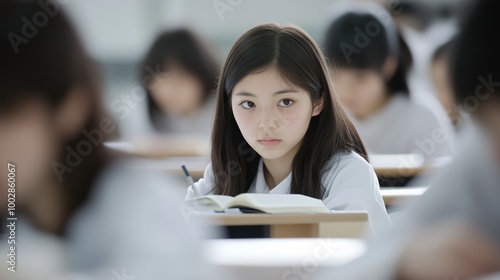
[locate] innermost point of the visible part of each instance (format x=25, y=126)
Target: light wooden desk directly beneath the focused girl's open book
x=338, y=224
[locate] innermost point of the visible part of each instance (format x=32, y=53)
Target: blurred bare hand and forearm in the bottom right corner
x=453, y=251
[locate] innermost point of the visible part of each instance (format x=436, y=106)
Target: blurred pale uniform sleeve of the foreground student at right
x=467, y=189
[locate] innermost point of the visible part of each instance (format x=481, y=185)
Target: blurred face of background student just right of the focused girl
x=362, y=91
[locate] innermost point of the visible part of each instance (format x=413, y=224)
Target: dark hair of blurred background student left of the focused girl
x=182, y=47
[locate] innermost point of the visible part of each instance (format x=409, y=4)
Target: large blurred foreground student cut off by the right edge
x=453, y=230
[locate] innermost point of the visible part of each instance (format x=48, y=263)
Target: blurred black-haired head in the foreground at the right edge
x=475, y=67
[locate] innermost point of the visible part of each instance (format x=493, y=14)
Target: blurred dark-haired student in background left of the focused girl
x=180, y=97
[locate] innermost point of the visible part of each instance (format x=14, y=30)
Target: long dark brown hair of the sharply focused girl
x=298, y=58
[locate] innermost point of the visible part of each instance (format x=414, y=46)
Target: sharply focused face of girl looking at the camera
x=272, y=114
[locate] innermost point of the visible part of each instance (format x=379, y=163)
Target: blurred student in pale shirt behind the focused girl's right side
x=366, y=67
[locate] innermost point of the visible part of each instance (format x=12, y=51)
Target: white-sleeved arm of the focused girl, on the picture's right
x=351, y=184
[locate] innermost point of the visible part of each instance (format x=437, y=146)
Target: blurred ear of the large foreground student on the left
x=71, y=115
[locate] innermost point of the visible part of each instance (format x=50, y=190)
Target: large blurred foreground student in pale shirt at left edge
x=81, y=211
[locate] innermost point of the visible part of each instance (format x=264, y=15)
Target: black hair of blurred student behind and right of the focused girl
x=343, y=49
